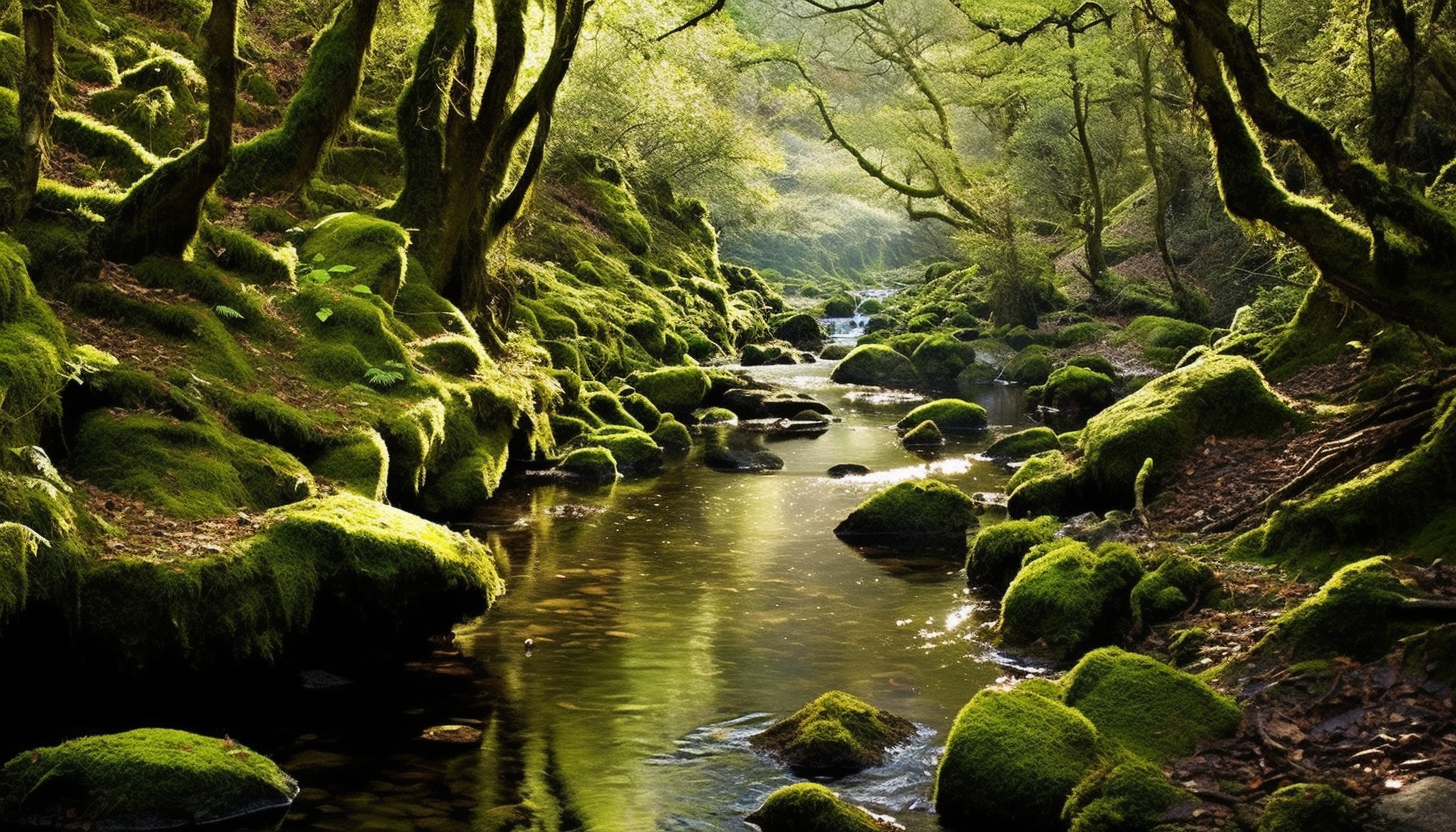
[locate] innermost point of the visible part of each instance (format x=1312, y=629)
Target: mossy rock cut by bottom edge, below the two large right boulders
x=1126, y=798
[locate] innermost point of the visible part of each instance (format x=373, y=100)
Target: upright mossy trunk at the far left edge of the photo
x=34, y=107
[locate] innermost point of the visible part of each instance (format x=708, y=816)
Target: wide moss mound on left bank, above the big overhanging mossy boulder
x=189, y=470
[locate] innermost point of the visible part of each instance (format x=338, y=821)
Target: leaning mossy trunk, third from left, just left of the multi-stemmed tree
x=285, y=160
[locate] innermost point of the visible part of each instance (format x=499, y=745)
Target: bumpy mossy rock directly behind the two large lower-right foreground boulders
x=1071, y=600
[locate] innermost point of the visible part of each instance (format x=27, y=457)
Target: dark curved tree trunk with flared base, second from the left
x=162, y=212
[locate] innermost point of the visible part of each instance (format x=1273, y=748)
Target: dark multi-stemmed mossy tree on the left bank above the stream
x=464, y=138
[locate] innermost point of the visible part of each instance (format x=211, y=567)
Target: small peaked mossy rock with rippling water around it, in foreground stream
x=834, y=735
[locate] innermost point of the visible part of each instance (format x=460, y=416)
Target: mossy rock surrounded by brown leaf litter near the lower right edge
x=1352, y=616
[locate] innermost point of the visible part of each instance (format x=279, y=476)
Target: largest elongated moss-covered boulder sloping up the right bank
x=1168, y=419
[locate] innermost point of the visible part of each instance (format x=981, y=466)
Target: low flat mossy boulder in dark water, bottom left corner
x=148, y=779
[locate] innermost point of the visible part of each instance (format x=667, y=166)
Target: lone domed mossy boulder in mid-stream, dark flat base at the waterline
x=924, y=512
